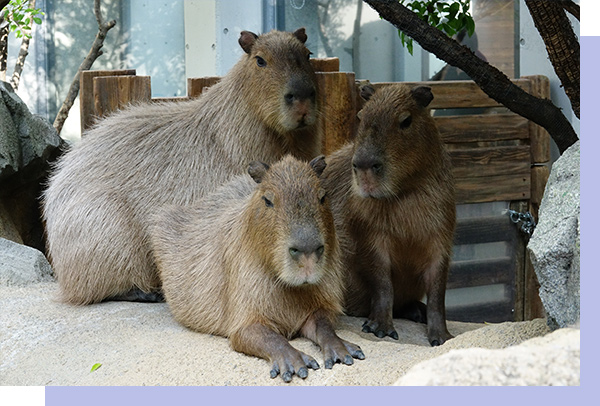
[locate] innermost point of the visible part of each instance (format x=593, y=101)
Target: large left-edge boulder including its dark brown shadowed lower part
x=28, y=143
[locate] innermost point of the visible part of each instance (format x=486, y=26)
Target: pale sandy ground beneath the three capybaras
x=45, y=342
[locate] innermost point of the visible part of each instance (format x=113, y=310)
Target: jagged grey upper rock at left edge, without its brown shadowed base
x=27, y=142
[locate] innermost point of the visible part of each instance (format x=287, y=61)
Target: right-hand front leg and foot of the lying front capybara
x=318, y=328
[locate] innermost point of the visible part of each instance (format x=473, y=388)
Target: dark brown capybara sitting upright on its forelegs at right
x=392, y=195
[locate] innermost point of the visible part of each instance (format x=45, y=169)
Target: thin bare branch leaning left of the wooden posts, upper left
x=95, y=52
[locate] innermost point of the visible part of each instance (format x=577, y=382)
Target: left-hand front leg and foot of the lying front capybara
x=262, y=342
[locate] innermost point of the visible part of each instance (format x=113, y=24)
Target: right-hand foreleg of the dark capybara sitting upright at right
x=437, y=332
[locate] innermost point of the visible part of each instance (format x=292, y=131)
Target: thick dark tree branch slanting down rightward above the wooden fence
x=492, y=81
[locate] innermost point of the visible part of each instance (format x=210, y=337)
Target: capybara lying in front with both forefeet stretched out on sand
x=258, y=261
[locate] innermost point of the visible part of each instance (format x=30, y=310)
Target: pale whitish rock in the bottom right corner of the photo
x=550, y=360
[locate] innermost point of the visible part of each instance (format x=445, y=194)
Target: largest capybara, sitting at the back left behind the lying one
x=103, y=190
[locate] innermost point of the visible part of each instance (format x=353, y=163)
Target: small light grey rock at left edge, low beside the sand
x=22, y=265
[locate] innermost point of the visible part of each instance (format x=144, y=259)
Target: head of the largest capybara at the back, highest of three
x=276, y=66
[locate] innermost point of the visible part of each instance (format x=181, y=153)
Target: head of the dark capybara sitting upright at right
x=396, y=140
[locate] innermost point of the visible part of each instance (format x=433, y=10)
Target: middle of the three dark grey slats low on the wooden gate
x=480, y=272
